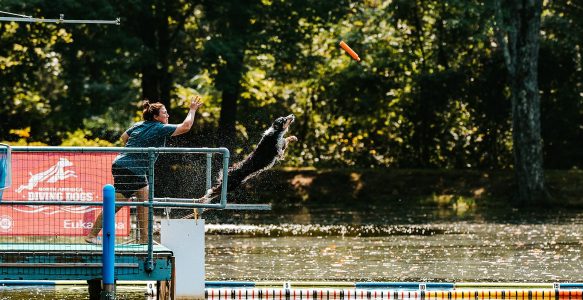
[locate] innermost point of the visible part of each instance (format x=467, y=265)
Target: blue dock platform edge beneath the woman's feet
x=81, y=262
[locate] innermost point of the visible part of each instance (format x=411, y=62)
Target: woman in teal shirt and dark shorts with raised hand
x=130, y=170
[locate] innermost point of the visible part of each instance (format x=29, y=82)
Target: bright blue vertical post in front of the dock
x=108, y=255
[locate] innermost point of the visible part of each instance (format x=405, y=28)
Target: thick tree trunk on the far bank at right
x=519, y=37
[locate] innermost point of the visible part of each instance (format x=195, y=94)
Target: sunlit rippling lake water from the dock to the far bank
x=380, y=243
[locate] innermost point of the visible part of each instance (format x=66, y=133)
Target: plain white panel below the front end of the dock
x=186, y=240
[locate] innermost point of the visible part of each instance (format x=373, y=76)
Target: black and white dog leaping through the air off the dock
x=271, y=148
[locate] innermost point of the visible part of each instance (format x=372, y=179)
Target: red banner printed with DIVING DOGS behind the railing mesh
x=65, y=177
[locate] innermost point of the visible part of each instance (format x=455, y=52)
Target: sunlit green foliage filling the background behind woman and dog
x=430, y=92
